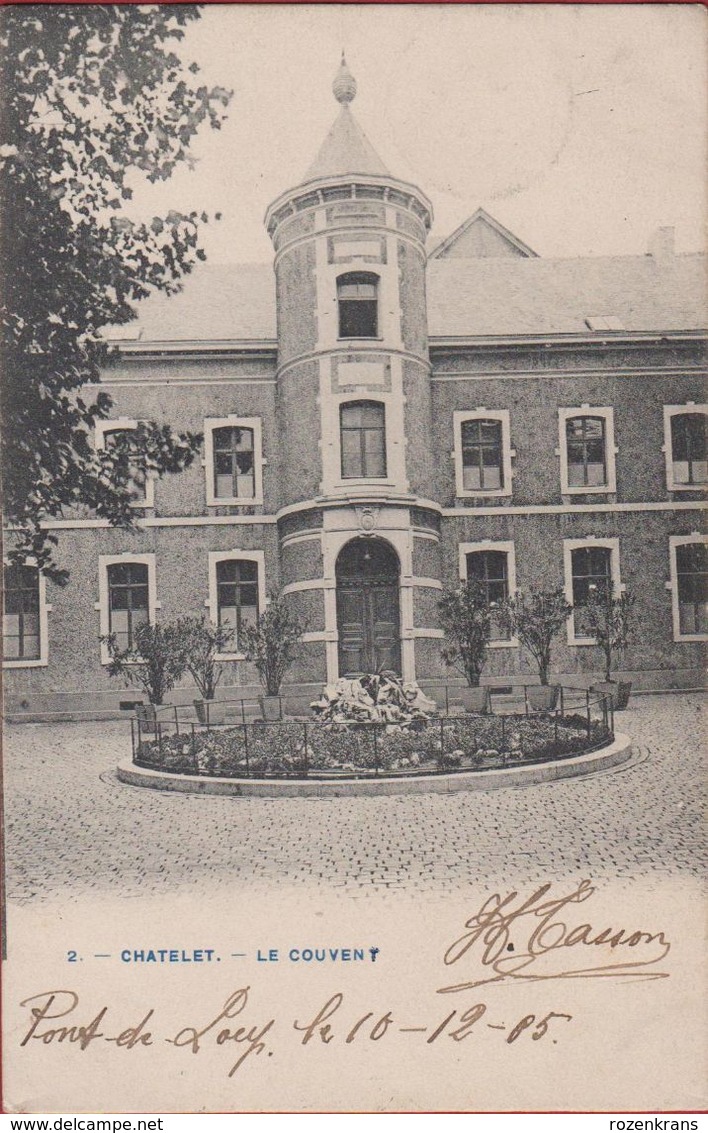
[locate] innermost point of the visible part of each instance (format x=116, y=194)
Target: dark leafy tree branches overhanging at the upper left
x=93, y=97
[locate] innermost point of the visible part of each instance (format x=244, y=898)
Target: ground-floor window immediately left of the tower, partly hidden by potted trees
x=237, y=593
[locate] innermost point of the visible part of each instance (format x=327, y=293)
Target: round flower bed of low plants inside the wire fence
x=426, y=746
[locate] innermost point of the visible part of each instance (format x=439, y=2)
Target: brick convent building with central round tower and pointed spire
x=382, y=420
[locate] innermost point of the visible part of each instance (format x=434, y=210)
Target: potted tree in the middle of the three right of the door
x=536, y=621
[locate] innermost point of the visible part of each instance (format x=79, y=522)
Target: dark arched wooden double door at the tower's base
x=368, y=608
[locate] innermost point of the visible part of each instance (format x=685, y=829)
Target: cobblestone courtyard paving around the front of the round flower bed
x=72, y=828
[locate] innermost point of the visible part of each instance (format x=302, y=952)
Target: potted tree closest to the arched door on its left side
x=272, y=645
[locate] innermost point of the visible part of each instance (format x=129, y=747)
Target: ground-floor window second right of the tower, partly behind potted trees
x=592, y=568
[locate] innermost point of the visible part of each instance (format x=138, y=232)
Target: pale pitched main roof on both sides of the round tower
x=501, y=297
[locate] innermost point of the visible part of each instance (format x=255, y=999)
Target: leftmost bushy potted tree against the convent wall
x=155, y=663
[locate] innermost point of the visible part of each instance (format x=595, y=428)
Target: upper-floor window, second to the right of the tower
x=587, y=450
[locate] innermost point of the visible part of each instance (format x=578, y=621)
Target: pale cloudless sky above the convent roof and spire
x=582, y=129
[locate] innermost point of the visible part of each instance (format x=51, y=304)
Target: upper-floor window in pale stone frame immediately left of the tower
x=233, y=461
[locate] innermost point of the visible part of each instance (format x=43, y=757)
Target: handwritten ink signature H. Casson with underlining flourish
x=530, y=939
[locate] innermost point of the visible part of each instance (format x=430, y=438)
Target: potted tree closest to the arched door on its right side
x=466, y=617
